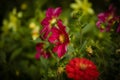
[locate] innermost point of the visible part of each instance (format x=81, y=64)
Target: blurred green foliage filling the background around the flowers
x=17, y=48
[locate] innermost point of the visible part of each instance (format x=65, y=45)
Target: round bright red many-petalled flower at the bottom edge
x=81, y=69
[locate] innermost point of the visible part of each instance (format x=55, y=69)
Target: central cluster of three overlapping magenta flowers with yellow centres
x=54, y=32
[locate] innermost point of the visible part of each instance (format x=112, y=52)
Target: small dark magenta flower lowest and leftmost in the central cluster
x=41, y=51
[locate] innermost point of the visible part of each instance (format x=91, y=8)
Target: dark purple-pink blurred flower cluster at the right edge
x=108, y=19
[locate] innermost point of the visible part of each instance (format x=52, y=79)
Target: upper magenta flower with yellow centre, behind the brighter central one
x=49, y=21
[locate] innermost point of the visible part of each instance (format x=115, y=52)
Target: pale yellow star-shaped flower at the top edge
x=83, y=5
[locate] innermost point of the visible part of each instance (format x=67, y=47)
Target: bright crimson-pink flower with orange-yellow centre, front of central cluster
x=60, y=38
